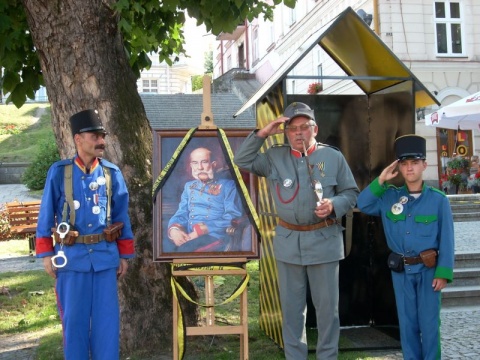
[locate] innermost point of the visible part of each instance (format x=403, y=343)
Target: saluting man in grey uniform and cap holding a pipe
x=308, y=242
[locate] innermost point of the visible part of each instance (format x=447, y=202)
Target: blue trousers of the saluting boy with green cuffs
x=418, y=308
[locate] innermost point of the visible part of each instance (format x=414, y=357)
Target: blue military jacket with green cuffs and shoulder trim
x=424, y=223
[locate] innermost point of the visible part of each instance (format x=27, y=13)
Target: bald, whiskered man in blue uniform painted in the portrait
x=207, y=207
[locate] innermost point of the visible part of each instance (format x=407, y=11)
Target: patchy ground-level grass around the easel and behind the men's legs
x=28, y=304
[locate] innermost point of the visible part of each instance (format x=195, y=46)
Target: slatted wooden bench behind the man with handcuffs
x=22, y=218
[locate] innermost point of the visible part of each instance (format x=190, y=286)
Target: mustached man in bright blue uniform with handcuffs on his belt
x=85, y=207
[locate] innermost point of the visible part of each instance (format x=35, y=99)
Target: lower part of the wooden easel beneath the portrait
x=211, y=328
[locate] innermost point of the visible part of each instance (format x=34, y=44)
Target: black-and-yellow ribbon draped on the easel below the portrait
x=177, y=288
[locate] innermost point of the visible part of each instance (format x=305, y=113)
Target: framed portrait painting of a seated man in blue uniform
x=204, y=206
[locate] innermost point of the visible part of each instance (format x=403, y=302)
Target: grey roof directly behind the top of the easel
x=183, y=111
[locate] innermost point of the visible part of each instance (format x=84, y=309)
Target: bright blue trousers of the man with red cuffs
x=88, y=307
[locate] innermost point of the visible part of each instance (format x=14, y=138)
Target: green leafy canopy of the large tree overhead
x=147, y=26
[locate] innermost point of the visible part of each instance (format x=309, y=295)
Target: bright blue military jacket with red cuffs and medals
x=86, y=195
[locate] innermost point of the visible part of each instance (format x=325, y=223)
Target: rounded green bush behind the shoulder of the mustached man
x=35, y=175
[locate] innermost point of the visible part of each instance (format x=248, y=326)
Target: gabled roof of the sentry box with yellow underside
x=359, y=52
